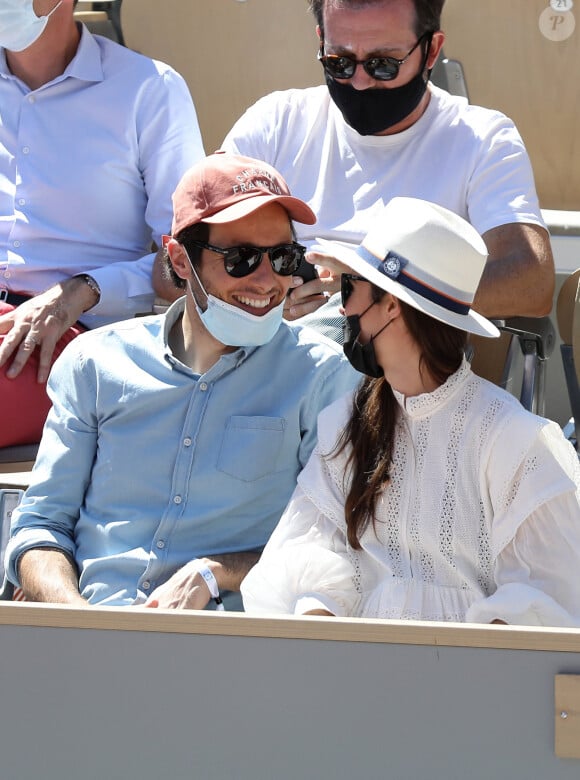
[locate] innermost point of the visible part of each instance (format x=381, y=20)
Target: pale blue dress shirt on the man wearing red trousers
x=88, y=164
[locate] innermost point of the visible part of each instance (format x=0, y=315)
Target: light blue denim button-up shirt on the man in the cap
x=145, y=465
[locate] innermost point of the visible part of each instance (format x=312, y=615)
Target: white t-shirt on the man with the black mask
x=470, y=159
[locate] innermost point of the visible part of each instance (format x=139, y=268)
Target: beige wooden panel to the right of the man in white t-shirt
x=510, y=65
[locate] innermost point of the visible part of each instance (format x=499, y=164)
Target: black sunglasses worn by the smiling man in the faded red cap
x=240, y=261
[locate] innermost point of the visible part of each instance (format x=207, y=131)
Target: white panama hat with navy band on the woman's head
x=426, y=256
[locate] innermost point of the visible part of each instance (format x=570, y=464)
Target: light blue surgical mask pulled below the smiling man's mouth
x=235, y=327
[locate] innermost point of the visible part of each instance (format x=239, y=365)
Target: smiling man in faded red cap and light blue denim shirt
x=174, y=442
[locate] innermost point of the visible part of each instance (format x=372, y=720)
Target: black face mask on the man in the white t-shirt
x=371, y=111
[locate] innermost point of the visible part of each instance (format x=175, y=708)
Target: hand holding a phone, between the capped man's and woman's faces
x=307, y=297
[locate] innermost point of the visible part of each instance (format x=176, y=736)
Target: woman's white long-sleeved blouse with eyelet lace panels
x=480, y=519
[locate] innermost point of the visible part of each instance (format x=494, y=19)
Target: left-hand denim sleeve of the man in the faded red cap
x=48, y=512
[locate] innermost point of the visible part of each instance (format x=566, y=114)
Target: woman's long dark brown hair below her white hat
x=370, y=431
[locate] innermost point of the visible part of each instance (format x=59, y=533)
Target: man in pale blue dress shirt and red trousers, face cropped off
x=94, y=138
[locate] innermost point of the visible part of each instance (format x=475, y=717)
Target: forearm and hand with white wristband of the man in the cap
x=187, y=589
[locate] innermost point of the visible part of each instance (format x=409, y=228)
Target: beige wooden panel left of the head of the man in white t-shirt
x=230, y=52
